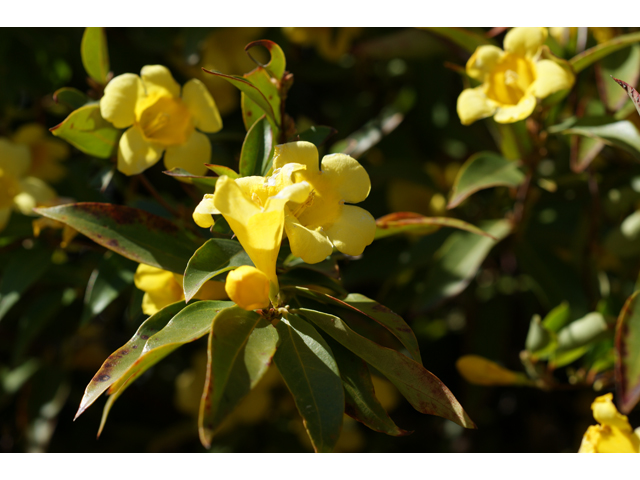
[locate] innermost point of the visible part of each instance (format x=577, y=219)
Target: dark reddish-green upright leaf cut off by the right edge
x=627, y=345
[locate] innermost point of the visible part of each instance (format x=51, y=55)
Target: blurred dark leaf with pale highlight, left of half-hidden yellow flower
x=107, y=282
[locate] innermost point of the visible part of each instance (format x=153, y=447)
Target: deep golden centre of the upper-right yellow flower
x=510, y=79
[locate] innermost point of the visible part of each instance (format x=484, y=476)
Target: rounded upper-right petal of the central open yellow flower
x=347, y=176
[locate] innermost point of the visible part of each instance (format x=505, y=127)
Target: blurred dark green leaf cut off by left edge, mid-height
x=22, y=270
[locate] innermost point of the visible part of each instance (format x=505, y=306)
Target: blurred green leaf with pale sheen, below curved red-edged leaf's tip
x=458, y=260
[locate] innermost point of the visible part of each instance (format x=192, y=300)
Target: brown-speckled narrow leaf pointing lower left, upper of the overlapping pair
x=118, y=363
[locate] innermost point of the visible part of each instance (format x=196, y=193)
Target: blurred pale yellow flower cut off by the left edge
x=17, y=190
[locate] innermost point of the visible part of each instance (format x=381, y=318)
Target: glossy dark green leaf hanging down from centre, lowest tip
x=309, y=369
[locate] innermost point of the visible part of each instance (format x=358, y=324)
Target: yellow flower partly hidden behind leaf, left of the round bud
x=163, y=288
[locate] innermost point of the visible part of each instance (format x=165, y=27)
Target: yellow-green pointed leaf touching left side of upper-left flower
x=86, y=130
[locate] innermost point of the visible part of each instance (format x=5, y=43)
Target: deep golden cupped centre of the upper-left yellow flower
x=164, y=120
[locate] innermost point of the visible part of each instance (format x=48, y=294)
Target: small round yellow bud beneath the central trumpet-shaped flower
x=248, y=287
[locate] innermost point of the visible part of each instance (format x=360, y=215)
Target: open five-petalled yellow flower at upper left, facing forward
x=160, y=120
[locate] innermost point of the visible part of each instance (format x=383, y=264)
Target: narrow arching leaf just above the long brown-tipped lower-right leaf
x=371, y=309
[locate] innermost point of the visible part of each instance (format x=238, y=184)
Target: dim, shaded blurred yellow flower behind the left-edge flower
x=46, y=152
